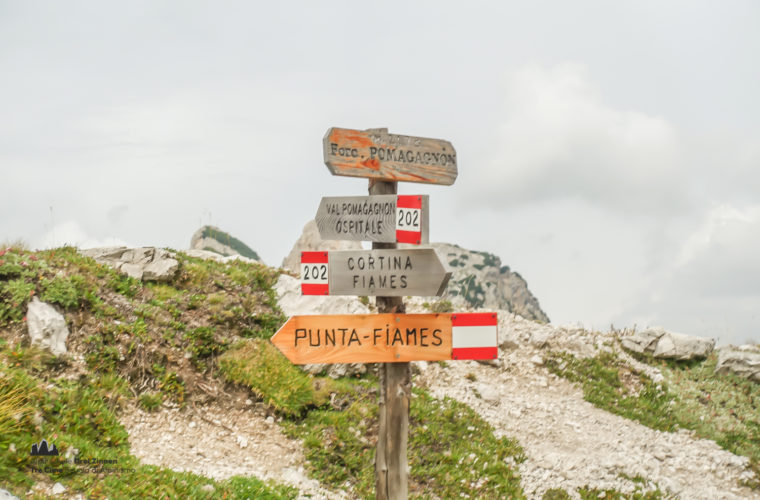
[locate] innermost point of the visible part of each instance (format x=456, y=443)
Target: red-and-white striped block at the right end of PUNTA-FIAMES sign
x=474, y=336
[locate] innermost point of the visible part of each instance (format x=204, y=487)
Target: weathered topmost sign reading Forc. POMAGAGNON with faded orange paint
x=377, y=154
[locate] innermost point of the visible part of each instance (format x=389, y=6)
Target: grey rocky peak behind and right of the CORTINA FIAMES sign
x=479, y=280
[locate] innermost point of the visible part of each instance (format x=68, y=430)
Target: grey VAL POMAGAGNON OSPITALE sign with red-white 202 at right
x=387, y=218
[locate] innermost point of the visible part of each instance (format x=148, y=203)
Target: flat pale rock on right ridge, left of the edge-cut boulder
x=668, y=345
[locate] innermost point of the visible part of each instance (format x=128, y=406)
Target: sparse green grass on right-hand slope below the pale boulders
x=723, y=408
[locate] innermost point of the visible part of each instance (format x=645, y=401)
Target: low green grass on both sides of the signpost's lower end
x=451, y=449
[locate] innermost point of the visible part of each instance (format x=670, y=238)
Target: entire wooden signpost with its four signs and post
x=391, y=338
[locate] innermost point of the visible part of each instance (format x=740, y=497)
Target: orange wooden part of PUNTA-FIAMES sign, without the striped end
x=365, y=338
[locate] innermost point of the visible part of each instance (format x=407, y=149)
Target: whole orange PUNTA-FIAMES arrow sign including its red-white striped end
x=386, y=338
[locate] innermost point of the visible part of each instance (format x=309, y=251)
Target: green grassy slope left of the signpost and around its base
x=150, y=344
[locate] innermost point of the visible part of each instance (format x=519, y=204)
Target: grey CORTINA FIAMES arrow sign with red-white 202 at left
x=390, y=273
